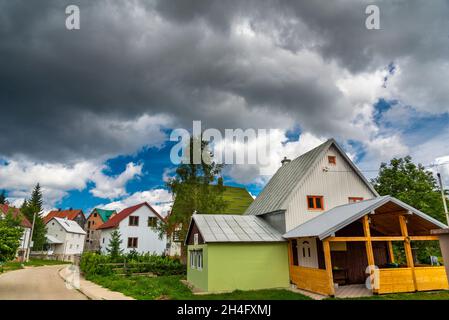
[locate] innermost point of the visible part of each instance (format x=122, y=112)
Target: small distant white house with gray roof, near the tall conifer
x=67, y=238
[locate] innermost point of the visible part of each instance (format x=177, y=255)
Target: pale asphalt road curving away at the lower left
x=38, y=283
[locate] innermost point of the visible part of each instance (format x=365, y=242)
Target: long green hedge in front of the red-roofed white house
x=94, y=264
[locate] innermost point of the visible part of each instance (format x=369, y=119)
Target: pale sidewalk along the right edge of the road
x=91, y=290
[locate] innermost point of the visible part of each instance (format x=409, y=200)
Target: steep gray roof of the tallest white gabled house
x=284, y=181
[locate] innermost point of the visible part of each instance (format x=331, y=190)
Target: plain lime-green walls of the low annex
x=243, y=266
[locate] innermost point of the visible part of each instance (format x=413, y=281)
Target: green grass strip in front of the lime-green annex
x=170, y=287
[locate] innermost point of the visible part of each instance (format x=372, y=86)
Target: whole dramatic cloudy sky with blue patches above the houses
x=88, y=113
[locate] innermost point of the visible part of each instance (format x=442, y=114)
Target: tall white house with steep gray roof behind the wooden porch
x=308, y=186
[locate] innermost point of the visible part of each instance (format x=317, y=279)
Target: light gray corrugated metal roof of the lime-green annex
x=235, y=228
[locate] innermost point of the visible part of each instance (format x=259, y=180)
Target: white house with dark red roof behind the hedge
x=136, y=227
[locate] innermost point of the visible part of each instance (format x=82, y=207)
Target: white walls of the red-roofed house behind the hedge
x=148, y=239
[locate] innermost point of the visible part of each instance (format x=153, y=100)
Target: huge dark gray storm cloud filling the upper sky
x=64, y=93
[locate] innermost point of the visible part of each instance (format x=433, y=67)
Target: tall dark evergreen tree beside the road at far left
x=29, y=208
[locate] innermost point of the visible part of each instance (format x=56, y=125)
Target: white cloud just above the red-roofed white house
x=160, y=199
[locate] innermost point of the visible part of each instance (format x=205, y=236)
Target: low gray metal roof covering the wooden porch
x=337, y=218
